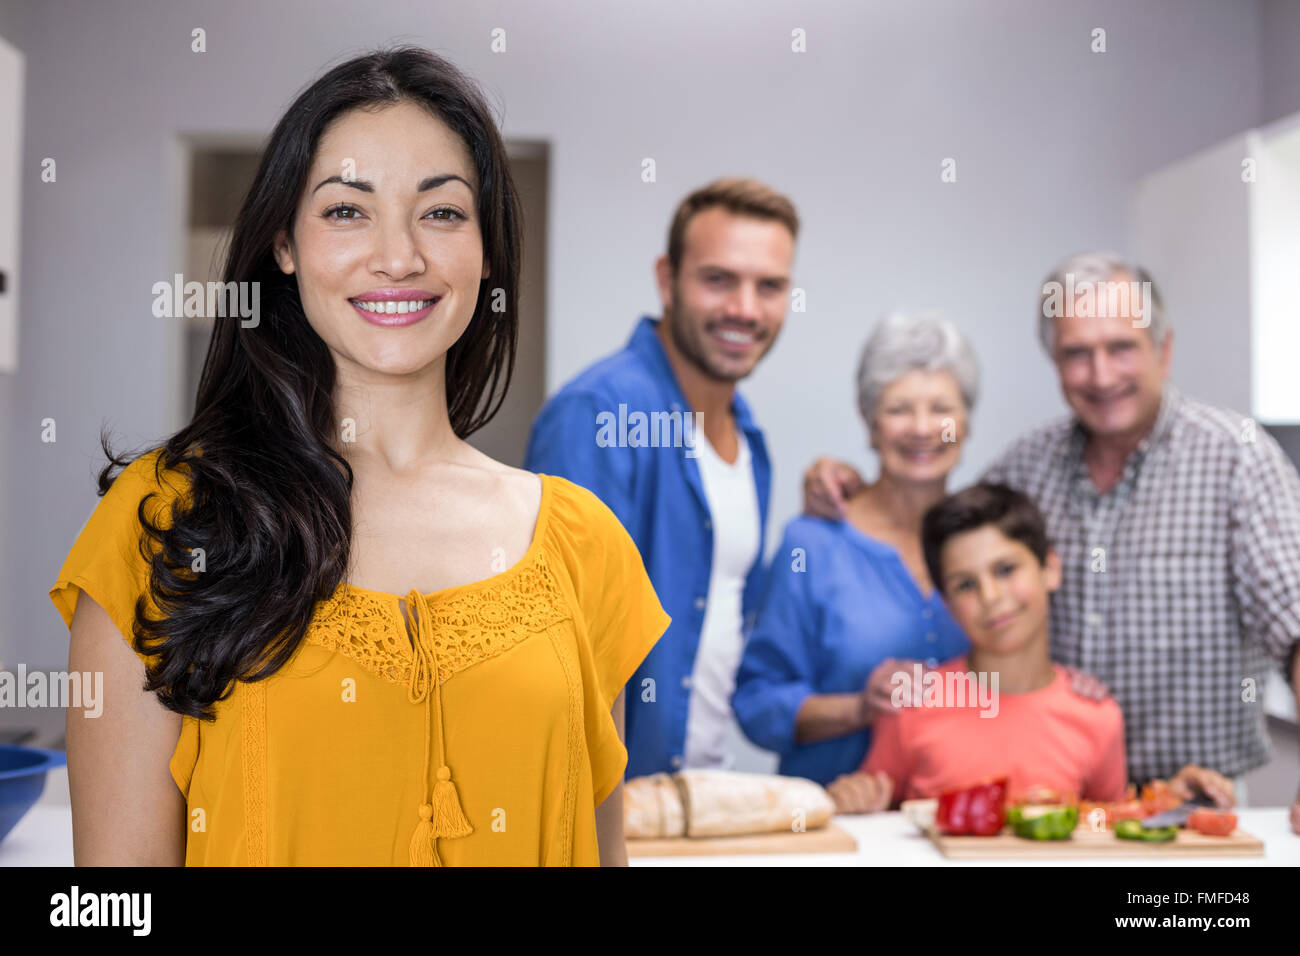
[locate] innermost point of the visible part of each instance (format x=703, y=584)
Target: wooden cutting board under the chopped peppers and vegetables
x=1087, y=842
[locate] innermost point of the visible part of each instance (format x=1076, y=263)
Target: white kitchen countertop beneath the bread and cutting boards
x=45, y=838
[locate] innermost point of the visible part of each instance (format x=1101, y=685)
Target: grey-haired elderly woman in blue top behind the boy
x=850, y=602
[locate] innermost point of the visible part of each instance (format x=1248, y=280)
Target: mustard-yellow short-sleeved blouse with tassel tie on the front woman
x=486, y=741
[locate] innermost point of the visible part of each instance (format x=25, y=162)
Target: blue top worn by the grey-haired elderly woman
x=838, y=604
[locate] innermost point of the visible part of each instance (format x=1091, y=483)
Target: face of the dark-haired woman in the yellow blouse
x=388, y=217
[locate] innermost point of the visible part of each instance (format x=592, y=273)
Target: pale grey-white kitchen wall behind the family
x=1050, y=141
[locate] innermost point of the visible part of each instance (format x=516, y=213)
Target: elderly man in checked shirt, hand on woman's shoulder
x=1178, y=525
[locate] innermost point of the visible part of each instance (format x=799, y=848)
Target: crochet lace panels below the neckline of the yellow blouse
x=469, y=628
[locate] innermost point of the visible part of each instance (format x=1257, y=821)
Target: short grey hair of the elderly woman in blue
x=902, y=344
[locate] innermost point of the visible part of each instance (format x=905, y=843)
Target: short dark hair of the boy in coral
x=1011, y=512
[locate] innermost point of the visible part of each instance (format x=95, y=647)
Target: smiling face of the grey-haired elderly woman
x=920, y=427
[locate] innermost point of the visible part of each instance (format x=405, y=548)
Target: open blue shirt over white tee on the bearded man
x=657, y=494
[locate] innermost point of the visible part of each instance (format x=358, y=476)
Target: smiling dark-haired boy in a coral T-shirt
x=987, y=552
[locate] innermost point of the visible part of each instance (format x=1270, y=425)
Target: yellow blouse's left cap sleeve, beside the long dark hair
x=106, y=561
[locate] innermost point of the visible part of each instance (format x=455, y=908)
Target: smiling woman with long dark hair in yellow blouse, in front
x=371, y=643
